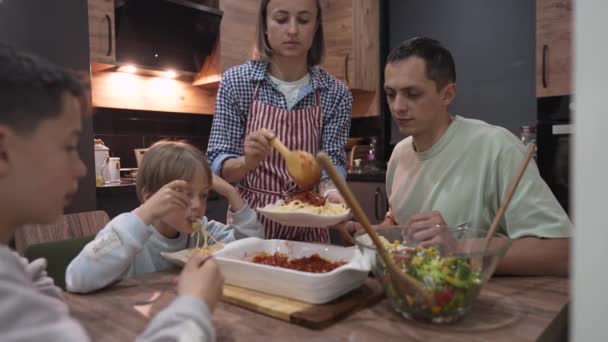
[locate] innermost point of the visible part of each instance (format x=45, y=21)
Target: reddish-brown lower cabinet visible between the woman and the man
x=373, y=199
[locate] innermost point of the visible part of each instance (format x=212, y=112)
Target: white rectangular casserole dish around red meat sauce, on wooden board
x=315, y=288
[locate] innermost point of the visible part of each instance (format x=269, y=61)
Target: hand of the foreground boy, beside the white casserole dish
x=201, y=278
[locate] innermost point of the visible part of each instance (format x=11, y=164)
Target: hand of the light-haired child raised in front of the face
x=170, y=197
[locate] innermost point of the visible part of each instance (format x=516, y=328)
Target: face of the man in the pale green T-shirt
x=414, y=101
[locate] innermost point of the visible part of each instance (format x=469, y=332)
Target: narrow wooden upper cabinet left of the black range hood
x=101, y=31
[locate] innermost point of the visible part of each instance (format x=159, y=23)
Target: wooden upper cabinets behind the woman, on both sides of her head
x=351, y=30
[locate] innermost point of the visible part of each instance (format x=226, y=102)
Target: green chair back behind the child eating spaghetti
x=58, y=255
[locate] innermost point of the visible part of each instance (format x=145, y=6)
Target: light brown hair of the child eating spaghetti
x=166, y=161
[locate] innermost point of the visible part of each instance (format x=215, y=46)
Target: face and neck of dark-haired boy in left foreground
x=40, y=170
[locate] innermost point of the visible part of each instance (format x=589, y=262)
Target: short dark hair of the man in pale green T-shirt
x=440, y=66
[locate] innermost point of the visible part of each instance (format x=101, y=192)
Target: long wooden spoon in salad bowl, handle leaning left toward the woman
x=403, y=282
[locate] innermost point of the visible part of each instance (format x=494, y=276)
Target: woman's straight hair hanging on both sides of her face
x=262, y=50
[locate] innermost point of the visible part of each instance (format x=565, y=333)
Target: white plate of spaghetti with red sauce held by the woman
x=305, y=215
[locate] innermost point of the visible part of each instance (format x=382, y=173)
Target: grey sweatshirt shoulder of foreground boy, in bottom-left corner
x=28, y=315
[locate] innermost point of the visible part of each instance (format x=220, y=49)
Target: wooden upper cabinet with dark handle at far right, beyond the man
x=553, y=47
